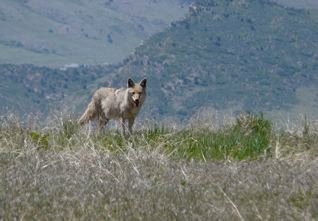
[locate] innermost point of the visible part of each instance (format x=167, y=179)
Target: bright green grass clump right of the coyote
x=248, y=138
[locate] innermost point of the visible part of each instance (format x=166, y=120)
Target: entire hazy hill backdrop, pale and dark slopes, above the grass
x=255, y=56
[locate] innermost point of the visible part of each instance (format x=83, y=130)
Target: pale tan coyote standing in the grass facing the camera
x=111, y=103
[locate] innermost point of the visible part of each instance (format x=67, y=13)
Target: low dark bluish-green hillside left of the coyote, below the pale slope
x=28, y=89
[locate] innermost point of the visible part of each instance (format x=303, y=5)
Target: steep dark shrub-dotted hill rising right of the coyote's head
x=251, y=55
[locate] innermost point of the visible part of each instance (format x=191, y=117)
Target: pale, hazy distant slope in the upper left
x=61, y=32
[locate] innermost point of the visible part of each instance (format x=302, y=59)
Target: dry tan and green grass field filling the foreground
x=245, y=170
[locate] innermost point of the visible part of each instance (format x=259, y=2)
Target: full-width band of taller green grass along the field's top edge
x=248, y=138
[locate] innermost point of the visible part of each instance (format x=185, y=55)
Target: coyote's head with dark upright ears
x=137, y=92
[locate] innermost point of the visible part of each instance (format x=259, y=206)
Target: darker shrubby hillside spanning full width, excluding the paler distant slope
x=227, y=55
